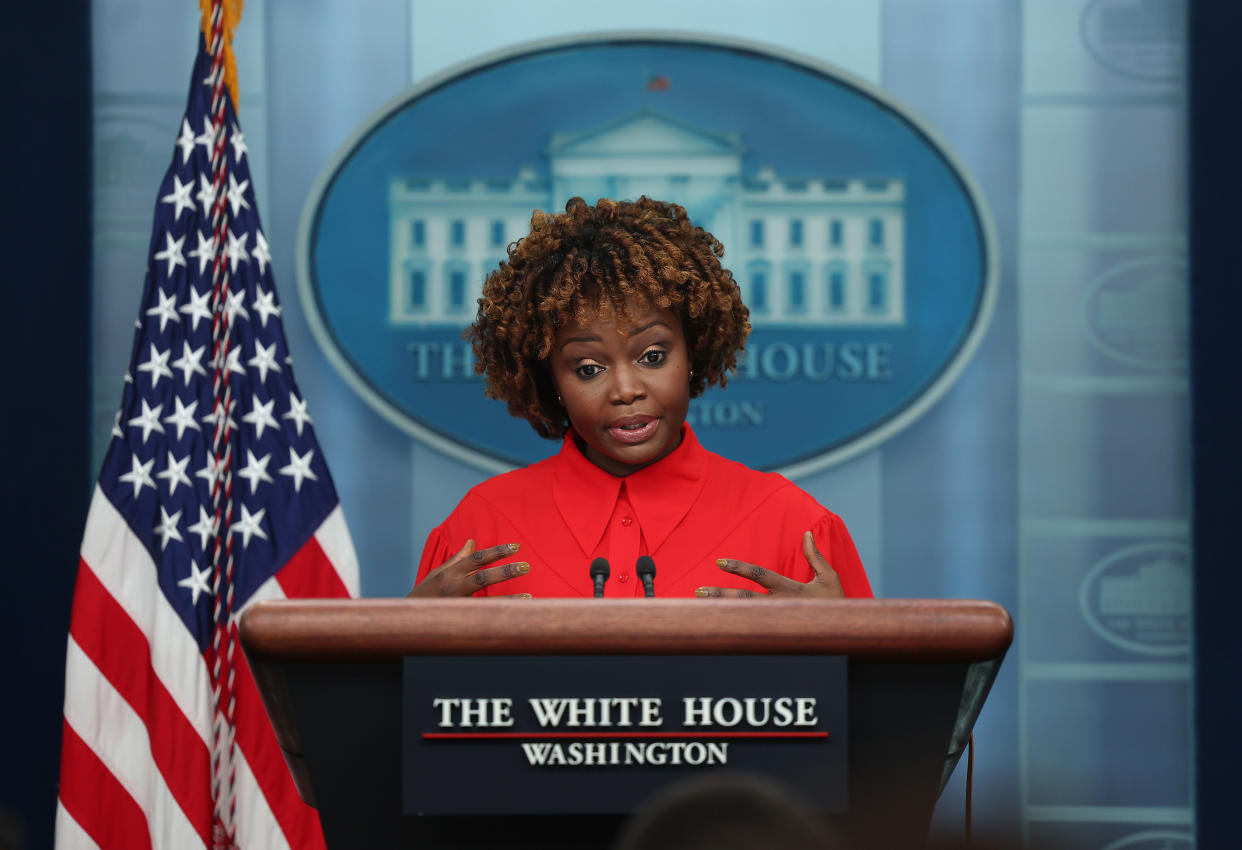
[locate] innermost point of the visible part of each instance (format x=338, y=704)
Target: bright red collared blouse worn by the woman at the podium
x=685, y=511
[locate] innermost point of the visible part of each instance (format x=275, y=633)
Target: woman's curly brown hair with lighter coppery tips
x=598, y=263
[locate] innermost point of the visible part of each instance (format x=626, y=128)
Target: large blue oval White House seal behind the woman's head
x=863, y=248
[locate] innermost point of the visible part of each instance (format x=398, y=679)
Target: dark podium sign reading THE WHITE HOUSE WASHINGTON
x=574, y=735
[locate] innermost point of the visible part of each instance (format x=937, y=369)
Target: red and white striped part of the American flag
x=136, y=755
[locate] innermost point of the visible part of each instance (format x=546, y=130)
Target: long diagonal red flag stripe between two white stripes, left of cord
x=120, y=649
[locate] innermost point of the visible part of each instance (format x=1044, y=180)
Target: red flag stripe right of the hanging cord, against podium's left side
x=258, y=741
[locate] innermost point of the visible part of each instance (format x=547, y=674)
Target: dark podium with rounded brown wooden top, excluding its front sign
x=331, y=674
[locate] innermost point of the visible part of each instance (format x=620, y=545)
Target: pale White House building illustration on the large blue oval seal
x=808, y=252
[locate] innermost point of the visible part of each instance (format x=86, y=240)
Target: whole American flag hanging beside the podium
x=214, y=494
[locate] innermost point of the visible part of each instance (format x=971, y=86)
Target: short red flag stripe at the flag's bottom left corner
x=96, y=801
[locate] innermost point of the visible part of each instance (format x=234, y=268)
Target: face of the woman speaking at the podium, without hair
x=627, y=390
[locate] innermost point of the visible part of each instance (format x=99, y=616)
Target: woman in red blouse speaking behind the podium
x=599, y=330
